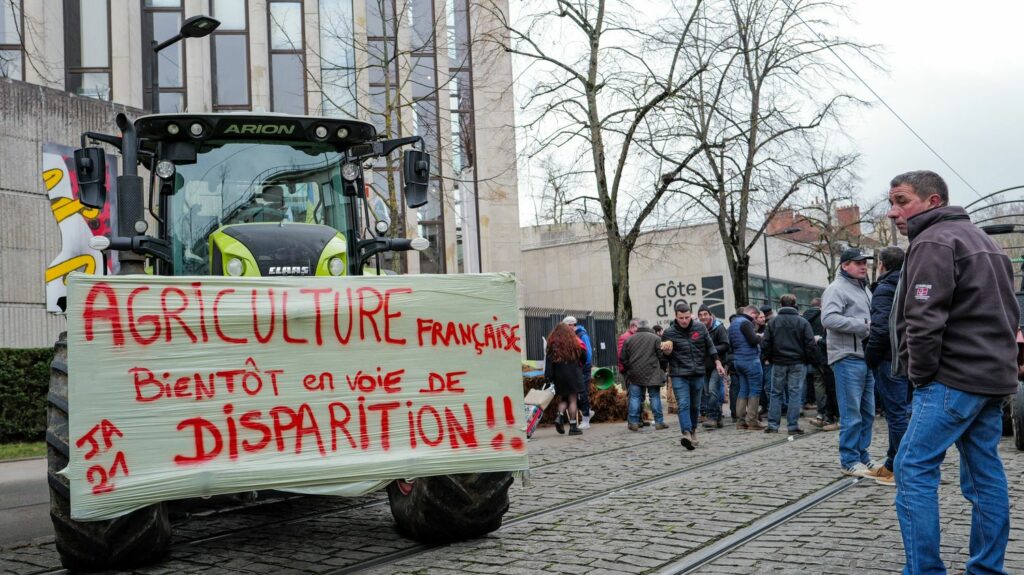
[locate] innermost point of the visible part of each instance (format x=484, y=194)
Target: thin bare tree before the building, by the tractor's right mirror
x=387, y=74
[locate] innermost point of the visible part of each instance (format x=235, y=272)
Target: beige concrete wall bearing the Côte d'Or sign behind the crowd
x=568, y=268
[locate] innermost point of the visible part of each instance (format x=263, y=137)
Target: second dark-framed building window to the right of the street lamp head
x=288, y=76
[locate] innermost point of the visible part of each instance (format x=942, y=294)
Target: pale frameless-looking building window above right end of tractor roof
x=337, y=59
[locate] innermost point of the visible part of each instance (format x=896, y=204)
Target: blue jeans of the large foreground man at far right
x=944, y=417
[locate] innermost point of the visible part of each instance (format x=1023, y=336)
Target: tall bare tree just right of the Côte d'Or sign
x=770, y=89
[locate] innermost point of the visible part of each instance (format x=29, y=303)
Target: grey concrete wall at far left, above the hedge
x=30, y=239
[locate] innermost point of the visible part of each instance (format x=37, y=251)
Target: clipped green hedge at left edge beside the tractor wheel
x=25, y=376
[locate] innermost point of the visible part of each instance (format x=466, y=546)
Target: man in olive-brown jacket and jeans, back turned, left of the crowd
x=644, y=364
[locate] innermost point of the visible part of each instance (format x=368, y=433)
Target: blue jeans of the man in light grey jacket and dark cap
x=856, y=391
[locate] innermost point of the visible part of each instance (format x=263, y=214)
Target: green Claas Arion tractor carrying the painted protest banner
x=247, y=196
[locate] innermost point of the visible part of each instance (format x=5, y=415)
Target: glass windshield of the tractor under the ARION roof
x=248, y=183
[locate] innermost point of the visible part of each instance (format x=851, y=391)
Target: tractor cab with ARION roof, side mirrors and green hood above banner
x=250, y=195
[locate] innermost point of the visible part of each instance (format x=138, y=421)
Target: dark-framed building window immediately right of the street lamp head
x=231, y=56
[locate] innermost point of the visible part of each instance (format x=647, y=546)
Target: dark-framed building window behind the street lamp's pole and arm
x=162, y=20
